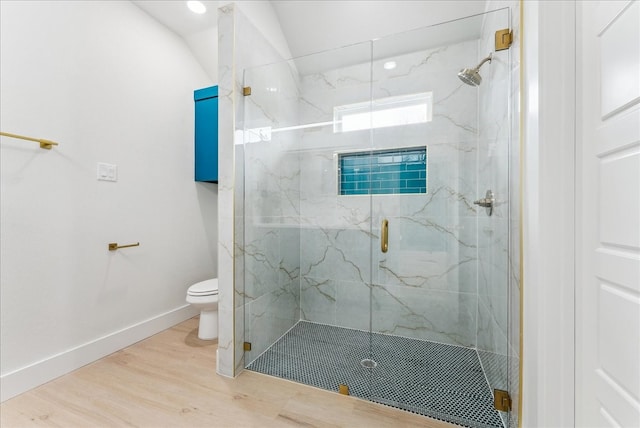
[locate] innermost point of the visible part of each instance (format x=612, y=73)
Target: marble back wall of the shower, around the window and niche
x=425, y=286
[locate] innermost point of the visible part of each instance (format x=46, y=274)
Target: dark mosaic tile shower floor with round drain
x=432, y=379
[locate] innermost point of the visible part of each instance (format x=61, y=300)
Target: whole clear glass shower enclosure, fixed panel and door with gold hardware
x=375, y=230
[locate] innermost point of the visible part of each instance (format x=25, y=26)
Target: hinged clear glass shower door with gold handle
x=440, y=261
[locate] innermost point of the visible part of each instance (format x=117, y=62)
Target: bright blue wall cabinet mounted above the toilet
x=206, y=134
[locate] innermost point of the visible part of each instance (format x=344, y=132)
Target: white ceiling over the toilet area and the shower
x=311, y=26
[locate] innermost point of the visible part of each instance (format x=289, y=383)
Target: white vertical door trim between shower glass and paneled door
x=548, y=157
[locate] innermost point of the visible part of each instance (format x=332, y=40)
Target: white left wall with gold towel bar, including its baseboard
x=110, y=85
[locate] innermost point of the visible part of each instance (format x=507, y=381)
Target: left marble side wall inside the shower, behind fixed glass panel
x=272, y=206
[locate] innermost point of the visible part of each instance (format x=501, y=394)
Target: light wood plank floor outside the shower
x=169, y=380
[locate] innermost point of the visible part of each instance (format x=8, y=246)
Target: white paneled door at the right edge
x=608, y=214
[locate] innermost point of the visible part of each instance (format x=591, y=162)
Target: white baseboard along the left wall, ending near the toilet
x=36, y=374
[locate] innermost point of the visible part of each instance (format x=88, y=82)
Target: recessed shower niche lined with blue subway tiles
x=383, y=172
